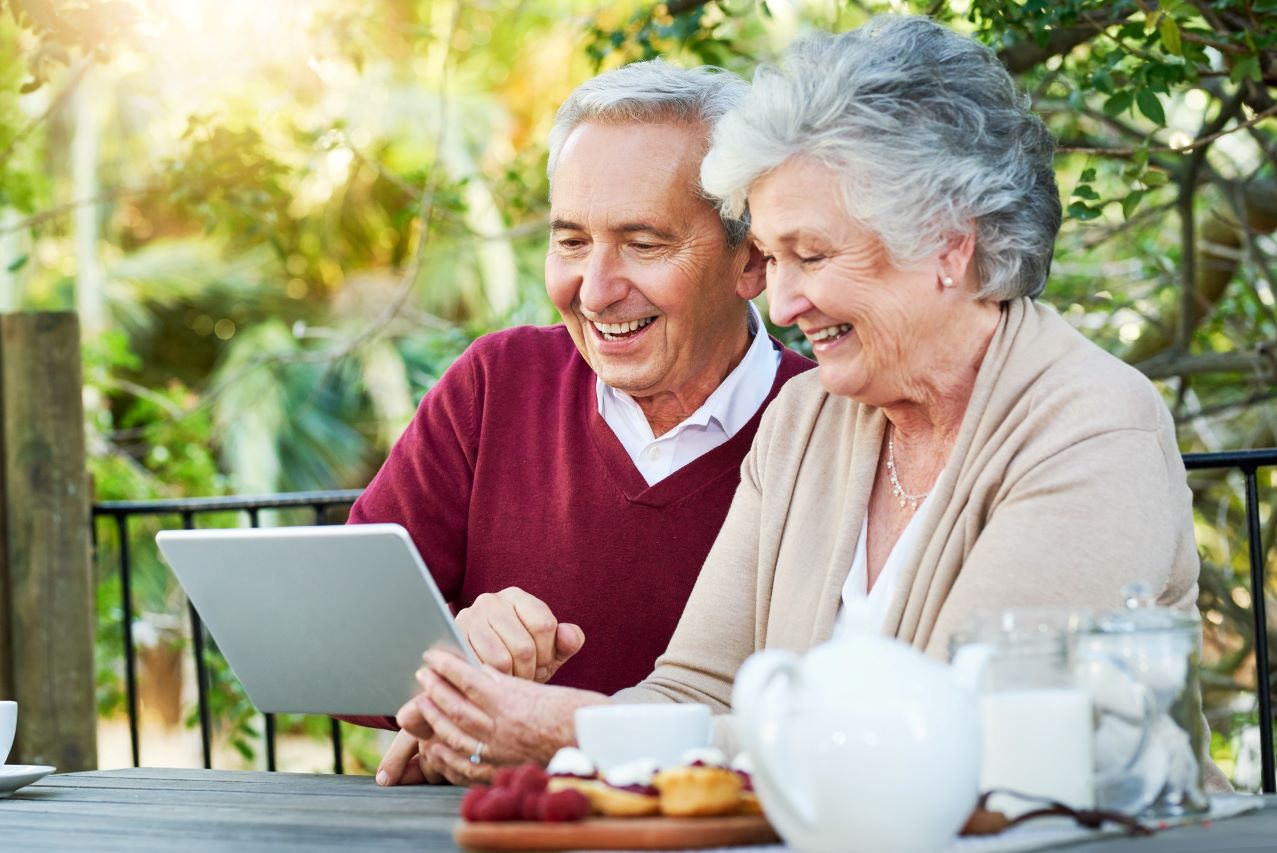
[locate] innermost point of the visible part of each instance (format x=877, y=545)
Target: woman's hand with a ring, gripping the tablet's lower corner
x=483, y=714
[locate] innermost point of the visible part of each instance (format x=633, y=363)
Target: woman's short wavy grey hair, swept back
x=928, y=133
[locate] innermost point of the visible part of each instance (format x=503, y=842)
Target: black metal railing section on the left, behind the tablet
x=320, y=504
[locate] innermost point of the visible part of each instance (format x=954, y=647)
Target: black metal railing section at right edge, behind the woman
x=1250, y=464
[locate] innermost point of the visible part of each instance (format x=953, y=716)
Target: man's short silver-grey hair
x=653, y=91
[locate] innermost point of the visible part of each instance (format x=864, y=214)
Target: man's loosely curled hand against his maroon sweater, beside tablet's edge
x=515, y=633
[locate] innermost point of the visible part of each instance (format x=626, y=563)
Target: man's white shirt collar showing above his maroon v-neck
x=720, y=418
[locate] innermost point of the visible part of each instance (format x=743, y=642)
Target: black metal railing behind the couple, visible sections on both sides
x=1248, y=463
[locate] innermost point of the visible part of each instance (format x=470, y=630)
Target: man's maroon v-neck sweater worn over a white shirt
x=509, y=477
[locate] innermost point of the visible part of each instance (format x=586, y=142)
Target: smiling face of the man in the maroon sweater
x=639, y=265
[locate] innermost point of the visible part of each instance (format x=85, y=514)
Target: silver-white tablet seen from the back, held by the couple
x=316, y=620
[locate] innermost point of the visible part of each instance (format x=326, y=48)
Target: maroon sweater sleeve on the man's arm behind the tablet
x=426, y=482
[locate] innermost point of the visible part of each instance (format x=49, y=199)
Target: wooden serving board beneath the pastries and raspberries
x=617, y=834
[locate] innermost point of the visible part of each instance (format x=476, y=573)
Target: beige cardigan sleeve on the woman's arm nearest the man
x=718, y=628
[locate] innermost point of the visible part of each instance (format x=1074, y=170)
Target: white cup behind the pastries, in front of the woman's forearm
x=616, y=735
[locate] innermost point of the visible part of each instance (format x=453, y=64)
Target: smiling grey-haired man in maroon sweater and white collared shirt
x=565, y=485
